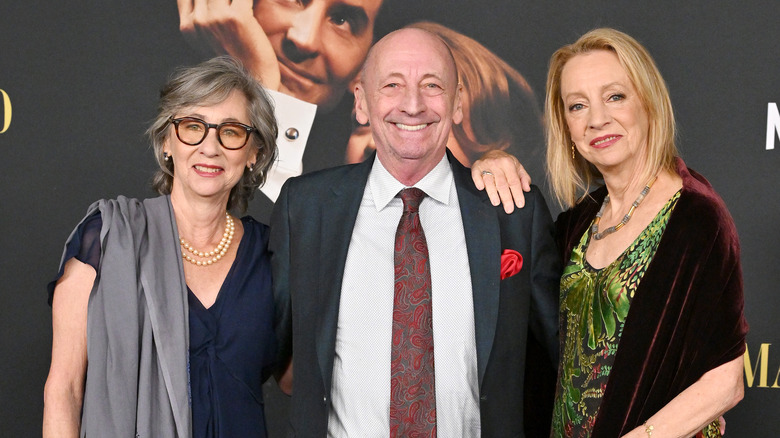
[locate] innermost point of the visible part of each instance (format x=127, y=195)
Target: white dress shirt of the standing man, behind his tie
x=361, y=369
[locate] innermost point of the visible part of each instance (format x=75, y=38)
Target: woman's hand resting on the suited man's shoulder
x=503, y=178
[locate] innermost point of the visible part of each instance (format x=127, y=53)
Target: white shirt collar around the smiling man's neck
x=437, y=184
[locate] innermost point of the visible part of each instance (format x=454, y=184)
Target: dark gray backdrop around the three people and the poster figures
x=80, y=84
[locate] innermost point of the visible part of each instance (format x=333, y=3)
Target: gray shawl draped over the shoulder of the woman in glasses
x=137, y=326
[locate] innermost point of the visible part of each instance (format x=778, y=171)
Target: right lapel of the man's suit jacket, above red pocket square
x=483, y=245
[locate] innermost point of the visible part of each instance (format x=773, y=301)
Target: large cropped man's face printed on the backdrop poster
x=320, y=44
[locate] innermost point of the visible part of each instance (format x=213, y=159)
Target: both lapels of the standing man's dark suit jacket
x=483, y=245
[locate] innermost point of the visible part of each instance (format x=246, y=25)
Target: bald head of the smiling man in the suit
x=409, y=94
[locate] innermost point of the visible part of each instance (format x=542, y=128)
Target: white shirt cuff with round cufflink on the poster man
x=294, y=119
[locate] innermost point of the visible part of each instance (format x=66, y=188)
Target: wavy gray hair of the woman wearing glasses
x=210, y=83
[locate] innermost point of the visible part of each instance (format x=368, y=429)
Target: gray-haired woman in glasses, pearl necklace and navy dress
x=163, y=313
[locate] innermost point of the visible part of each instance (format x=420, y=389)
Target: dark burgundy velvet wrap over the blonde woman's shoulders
x=686, y=316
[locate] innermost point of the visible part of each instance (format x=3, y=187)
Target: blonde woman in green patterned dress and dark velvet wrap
x=652, y=324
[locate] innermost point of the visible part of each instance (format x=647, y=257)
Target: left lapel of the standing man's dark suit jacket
x=338, y=215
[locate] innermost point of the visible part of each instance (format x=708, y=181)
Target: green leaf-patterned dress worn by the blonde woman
x=594, y=306
